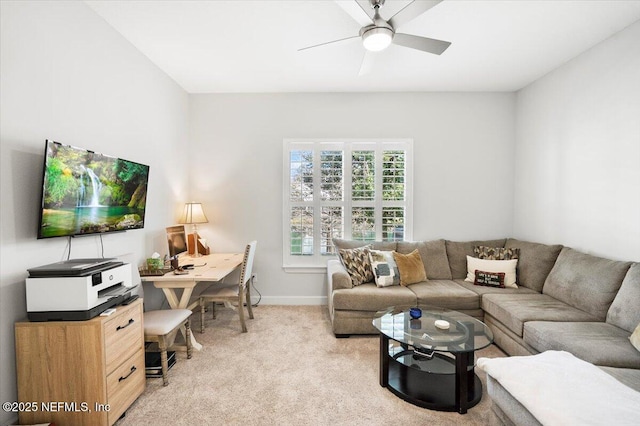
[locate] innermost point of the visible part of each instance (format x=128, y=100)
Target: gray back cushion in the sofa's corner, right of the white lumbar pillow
x=534, y=263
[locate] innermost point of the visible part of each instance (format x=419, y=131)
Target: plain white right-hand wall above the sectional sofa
x=578, y=152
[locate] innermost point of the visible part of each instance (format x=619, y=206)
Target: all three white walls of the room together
x=66, y=75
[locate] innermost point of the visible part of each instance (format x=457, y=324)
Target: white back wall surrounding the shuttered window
x=463, y=144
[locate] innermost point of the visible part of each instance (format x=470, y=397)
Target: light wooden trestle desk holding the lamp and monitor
x=216, y=267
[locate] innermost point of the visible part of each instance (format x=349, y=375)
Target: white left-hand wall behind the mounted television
x=66, y=75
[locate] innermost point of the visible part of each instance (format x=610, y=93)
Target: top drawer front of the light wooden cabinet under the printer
x=123, y=336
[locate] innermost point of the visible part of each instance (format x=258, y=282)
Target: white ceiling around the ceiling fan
x=252, y=46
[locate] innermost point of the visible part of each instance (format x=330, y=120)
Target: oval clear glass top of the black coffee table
x=436, y=329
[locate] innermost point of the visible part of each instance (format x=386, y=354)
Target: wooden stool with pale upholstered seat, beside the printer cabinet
x=158, y=325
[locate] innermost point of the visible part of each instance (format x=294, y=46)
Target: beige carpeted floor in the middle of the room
x=288, y=369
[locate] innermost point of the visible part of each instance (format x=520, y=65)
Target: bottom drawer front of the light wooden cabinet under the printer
x=125, y=384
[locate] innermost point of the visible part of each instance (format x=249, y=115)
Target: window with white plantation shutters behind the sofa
x=354, y=189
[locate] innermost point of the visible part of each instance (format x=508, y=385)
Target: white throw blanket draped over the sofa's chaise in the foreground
x=560, y=389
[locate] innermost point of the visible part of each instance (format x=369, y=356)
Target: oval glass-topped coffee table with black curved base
x=429, y=361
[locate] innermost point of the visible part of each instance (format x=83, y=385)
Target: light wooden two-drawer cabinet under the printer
x=80, y=372
